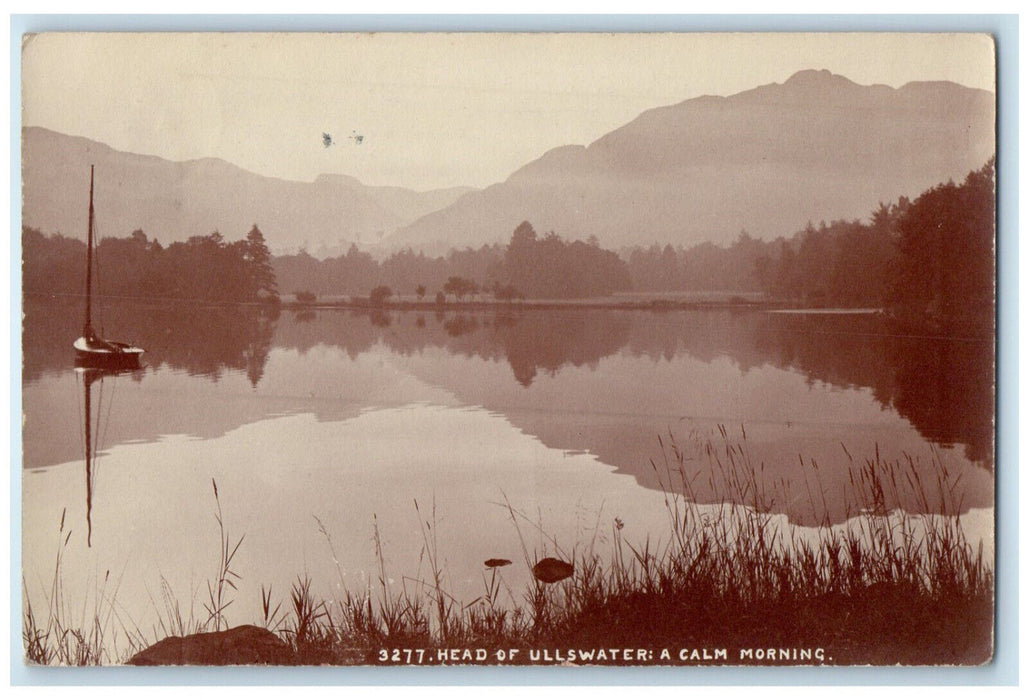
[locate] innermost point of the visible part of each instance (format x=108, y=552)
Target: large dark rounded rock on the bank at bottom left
x=240, y=646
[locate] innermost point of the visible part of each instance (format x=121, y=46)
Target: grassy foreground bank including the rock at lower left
x=732, y=585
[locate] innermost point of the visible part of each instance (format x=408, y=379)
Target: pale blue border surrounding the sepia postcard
x=1005, y=669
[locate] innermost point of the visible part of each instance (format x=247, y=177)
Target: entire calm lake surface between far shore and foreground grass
x=323, y=428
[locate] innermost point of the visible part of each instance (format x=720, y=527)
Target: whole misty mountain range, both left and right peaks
x=767, y=160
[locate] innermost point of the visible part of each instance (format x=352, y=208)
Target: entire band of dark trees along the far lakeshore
x=929, y=261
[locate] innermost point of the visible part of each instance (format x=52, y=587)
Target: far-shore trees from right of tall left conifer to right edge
x=931, y=260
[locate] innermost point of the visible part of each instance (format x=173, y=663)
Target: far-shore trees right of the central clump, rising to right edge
x=932, y=261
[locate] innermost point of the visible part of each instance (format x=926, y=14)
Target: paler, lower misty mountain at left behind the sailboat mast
x=172, y=201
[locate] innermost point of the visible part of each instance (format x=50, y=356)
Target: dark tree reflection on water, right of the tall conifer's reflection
x=943, y=387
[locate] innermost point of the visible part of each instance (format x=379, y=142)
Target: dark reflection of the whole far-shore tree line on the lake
x=944, y=387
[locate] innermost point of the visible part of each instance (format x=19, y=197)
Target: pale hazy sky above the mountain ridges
x=435, y=111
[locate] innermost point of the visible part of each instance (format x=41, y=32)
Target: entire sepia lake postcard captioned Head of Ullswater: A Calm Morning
x=508, y=349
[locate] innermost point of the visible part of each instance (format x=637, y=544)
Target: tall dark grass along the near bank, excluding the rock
x=884, y=587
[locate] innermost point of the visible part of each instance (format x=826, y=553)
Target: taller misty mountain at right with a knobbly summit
x=768, y=160
